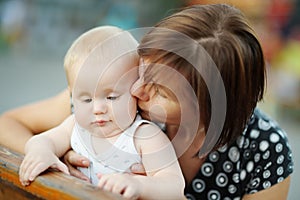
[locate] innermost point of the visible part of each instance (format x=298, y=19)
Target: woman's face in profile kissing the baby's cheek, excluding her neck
x=165, y=96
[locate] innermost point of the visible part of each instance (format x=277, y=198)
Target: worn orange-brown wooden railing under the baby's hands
x=49, y=185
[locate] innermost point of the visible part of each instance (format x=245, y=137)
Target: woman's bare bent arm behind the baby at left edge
x=20, y=124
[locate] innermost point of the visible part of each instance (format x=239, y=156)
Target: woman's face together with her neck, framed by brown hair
x=165, y=96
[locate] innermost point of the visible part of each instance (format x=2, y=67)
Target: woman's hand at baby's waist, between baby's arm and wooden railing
x=73, y=160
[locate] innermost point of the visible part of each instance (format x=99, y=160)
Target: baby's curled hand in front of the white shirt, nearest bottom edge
x=124, y=184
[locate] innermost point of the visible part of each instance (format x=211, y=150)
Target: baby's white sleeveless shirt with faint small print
x=119, y=158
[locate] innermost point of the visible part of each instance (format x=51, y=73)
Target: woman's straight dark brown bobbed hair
x=226, y=36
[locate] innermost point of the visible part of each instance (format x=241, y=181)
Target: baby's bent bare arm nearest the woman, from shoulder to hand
x=164, y=178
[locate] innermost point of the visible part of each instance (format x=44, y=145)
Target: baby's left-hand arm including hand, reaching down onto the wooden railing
x=43, y=151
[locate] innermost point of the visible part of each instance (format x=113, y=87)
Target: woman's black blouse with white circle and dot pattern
x=260, y=158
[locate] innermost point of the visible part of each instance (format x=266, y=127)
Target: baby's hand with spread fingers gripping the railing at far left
x=35, y=163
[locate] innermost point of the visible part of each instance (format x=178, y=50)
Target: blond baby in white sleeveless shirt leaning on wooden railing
x=101, y=67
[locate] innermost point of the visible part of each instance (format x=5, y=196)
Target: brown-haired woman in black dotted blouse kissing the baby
x=227, y=149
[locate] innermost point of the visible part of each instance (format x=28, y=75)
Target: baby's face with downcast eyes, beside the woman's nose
x=102, y=100
